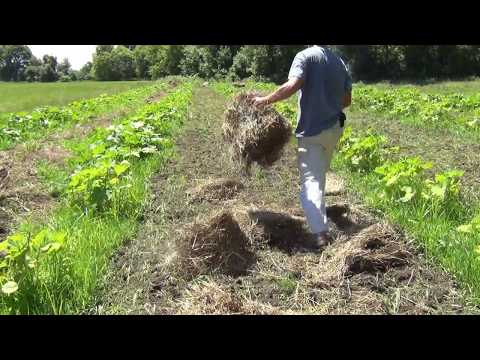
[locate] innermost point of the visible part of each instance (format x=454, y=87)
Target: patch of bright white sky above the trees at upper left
x=78, y=55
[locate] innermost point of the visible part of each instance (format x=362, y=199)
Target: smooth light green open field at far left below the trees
x=27, y=96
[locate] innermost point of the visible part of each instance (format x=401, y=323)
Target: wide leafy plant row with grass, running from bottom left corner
x=56, y=266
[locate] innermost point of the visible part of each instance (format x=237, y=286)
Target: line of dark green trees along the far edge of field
x=234, y=62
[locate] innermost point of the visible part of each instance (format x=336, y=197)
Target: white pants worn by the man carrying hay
x=314, y=158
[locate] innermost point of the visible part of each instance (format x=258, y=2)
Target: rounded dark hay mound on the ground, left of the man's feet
x=215, y=245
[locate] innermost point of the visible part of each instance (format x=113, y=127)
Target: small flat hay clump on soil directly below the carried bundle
x=217, y=189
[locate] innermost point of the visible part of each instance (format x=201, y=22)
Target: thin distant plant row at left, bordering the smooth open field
x=21, y=126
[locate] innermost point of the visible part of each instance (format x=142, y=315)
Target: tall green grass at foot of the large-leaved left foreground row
x=66, y=282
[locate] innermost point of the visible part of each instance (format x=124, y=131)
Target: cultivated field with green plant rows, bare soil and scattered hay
x=95, y=214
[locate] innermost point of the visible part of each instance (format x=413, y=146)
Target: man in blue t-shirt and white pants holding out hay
x=325, y=90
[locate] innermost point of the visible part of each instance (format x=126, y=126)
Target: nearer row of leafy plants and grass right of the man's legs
x=429, y=206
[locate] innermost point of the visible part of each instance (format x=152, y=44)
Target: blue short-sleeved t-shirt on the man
x=326, y=81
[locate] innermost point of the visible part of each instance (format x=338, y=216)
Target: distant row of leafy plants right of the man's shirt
x=410, y=105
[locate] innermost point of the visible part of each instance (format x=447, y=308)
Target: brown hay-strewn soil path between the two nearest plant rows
x=371, y=268
